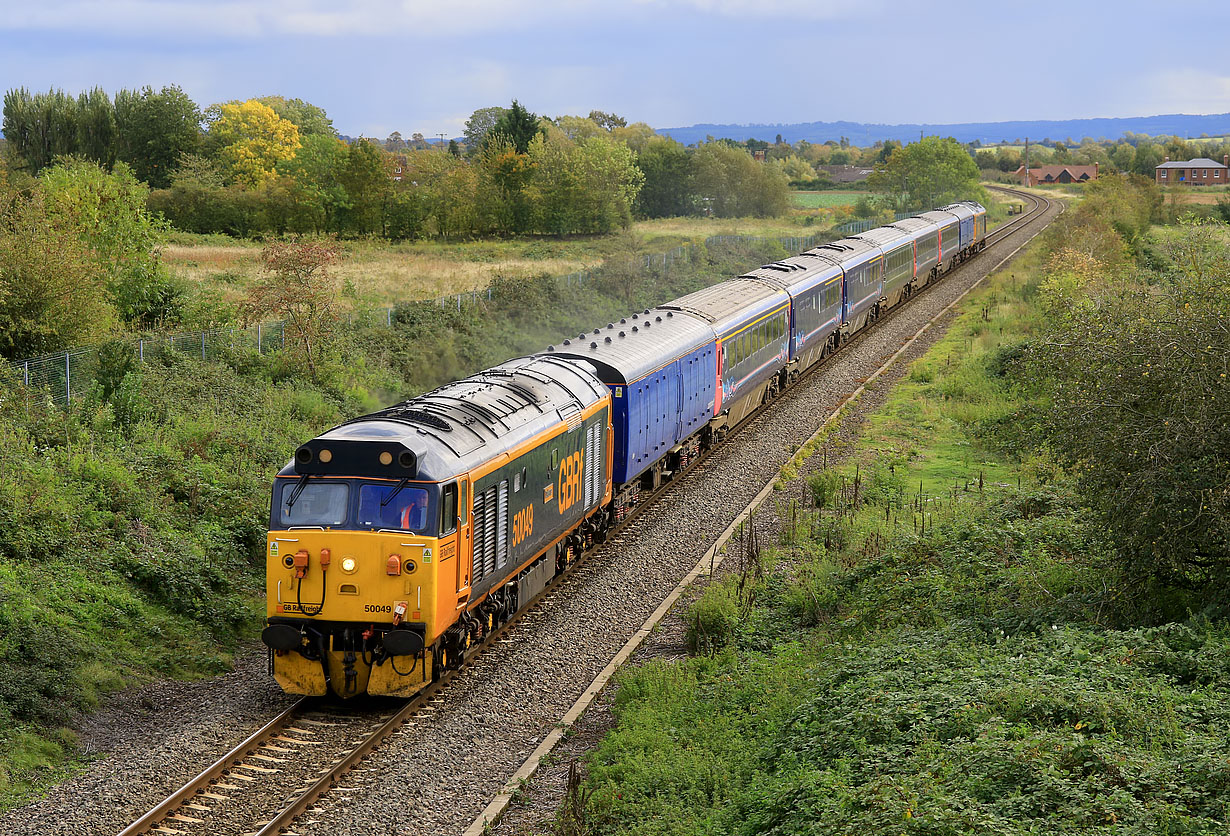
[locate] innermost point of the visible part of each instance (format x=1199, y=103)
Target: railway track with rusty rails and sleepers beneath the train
x=271, y=780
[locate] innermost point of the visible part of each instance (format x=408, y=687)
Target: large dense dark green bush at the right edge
x=1140, y=406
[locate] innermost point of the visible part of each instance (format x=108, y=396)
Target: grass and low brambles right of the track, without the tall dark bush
x=966, y=677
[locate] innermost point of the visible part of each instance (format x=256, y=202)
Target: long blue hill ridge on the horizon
x=860, y=133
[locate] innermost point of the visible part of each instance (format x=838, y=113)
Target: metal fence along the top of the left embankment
x=68, y=377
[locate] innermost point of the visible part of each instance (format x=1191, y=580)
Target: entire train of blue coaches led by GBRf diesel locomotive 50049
x=400, y=539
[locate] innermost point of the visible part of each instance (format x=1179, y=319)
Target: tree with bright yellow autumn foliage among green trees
x=253, y=140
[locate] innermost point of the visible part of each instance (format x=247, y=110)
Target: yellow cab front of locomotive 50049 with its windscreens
x=351, y=590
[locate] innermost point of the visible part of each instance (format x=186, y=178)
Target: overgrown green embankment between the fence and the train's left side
x=132, y=526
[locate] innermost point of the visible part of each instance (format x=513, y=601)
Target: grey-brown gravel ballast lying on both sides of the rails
x=437, y=775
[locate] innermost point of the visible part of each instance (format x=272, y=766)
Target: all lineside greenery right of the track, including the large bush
x=1007, y=613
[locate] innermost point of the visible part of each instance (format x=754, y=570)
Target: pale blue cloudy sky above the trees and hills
x=383, y=66
